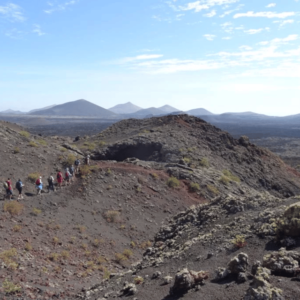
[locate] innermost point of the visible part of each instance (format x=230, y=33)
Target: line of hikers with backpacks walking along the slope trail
x=68, y=178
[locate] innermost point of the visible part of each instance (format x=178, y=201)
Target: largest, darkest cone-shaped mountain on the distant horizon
x=80, y=108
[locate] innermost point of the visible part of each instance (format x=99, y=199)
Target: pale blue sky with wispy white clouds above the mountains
x=221, y=55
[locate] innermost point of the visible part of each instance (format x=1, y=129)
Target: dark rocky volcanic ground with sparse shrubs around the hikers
x=163, y=199
